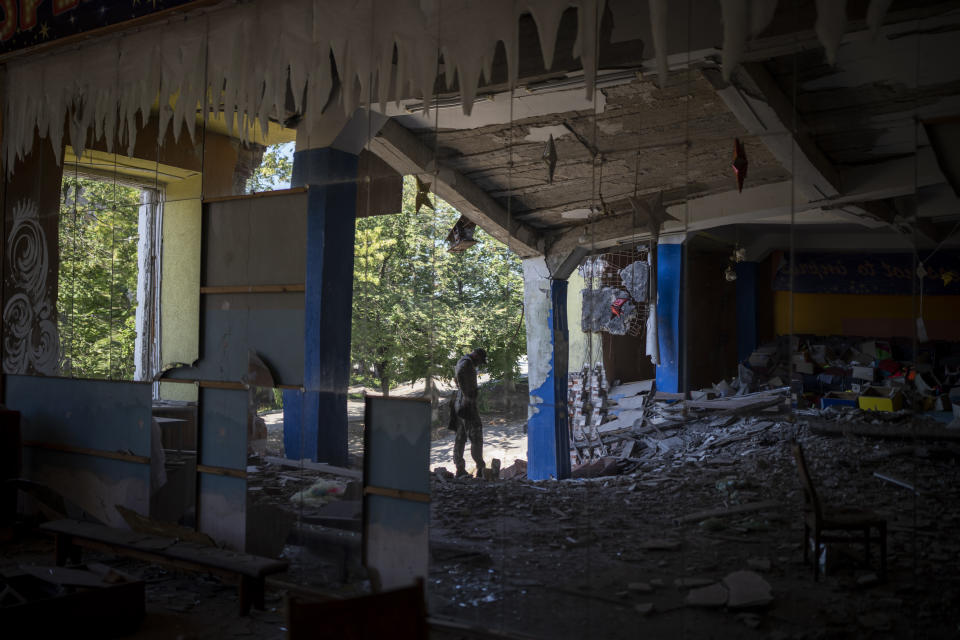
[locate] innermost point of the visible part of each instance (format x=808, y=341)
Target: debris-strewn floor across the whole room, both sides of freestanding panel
x=695, y=534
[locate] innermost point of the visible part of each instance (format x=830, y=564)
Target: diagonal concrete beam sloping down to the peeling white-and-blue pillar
x=403, y=151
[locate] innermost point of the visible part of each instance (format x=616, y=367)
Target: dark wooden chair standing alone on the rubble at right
x=826, y=523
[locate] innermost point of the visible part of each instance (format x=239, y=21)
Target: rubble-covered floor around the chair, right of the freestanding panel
x=619, y=556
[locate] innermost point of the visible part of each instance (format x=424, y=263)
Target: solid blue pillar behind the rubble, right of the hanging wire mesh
x=669, y=318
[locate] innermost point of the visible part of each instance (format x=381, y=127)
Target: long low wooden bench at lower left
x=246, y=571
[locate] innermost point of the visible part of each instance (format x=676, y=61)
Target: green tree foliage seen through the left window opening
x=97, y=290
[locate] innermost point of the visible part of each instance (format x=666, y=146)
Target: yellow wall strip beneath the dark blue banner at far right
x=870, y=315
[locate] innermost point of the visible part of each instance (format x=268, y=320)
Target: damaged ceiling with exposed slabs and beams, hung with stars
x=827, y=144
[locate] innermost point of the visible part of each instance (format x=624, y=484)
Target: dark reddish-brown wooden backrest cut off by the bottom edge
x=399, y=614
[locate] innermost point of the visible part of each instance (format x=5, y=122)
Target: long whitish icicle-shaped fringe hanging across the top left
x=240, y=59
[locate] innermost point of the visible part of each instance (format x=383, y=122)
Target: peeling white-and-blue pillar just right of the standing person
x=545, y=305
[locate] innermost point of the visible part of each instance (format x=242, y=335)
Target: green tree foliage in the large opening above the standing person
x=417, y=308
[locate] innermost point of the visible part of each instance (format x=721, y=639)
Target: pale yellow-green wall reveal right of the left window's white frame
x=180, y=281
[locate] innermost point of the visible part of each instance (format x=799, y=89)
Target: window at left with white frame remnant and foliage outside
x=107, y=297
